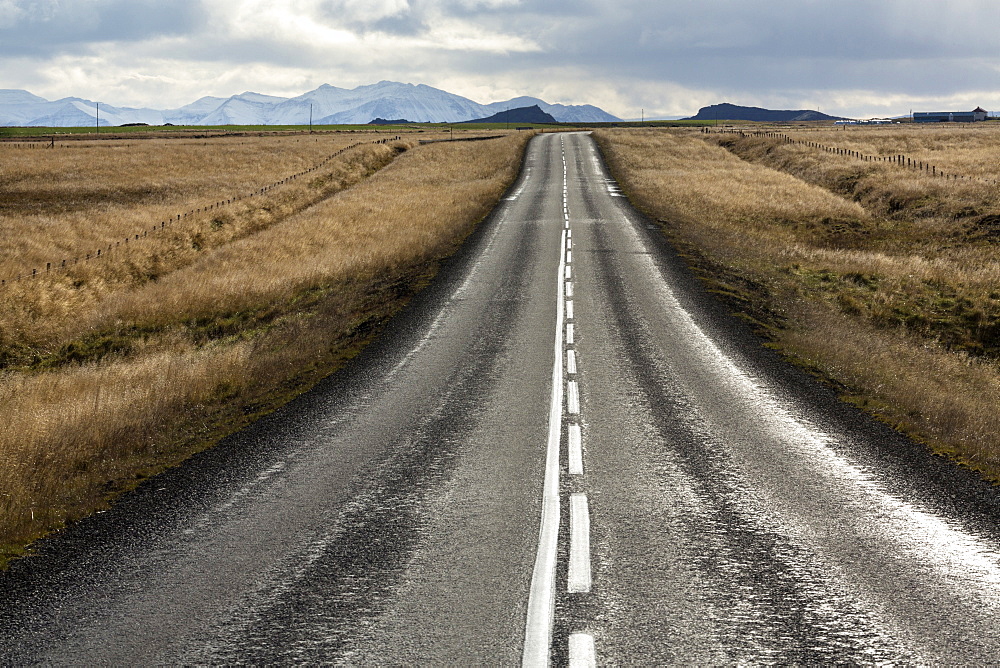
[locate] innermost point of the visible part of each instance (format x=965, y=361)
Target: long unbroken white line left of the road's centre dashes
x=541, y=597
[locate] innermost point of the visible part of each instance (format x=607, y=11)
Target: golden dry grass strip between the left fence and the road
x=113, y=373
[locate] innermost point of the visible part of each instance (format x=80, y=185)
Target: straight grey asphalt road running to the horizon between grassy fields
x=563, y=451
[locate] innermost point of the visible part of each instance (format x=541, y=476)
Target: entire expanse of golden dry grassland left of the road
x=118, y=366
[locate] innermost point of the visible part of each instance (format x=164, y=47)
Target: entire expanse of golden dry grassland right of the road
x=882, y=279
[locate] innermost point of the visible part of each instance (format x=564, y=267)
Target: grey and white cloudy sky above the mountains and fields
x=660, y=57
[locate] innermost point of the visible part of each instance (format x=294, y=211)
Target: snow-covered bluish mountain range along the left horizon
x=329, y=105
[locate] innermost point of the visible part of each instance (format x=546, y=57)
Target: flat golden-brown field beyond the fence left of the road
x=59, y=203
